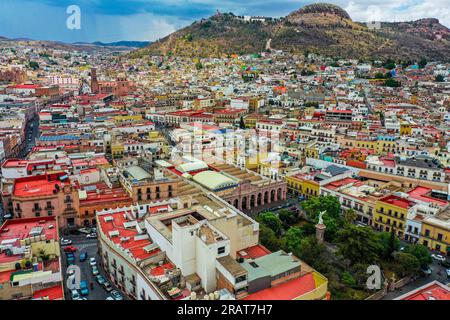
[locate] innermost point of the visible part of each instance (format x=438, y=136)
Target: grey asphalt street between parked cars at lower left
x=89, y=246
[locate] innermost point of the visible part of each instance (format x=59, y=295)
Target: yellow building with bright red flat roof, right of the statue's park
x=391, y=213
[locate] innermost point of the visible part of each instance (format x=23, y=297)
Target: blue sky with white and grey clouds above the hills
x=114, y=20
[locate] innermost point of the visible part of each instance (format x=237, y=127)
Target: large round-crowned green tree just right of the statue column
x=358, y=244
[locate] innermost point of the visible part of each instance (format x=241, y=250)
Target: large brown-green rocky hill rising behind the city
x=318, y=28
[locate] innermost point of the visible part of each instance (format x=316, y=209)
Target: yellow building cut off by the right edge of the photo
x=435, y=232
